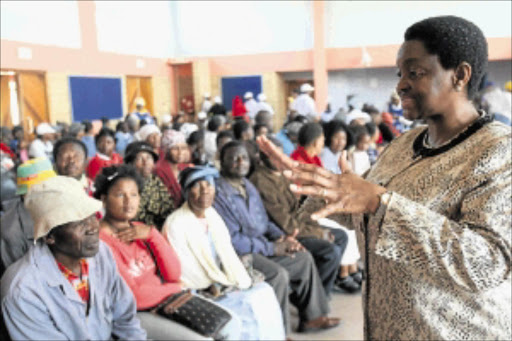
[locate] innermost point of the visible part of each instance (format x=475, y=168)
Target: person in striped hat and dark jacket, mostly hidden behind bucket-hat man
x=16, y=225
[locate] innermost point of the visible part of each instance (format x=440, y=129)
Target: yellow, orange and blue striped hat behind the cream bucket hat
x=33, y=172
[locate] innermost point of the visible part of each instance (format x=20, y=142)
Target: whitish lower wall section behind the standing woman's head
x=374, y=86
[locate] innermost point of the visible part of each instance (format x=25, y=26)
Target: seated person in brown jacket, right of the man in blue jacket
x=327, y=246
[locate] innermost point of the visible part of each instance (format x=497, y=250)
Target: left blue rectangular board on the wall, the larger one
x=95, y=97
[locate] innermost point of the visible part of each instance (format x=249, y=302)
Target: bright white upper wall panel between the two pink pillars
x=214, y=28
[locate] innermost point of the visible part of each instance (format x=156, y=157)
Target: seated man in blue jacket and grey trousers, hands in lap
x=239, y=204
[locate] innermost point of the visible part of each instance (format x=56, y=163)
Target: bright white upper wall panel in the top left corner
x=53, y=23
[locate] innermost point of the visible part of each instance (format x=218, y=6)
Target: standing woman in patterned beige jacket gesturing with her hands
x=433, y=215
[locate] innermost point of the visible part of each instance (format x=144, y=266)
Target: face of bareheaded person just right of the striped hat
x=71, y=161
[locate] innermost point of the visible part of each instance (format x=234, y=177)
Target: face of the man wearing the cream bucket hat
x=76, y=240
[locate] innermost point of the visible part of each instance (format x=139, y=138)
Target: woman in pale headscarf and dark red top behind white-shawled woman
x=176, y=157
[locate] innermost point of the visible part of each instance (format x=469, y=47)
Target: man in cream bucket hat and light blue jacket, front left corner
x=67, y=285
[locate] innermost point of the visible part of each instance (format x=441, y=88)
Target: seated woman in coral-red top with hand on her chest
x=144, y=258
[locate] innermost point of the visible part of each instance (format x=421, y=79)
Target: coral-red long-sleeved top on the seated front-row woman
x=138, y=268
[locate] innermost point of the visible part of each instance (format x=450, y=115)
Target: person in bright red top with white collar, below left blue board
x=105, y=156
